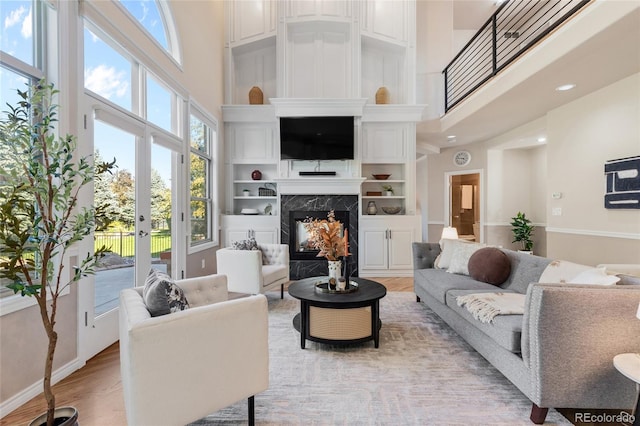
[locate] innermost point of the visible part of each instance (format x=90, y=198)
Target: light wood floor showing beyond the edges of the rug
x=96, y=391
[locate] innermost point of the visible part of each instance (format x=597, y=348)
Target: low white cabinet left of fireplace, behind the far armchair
x=266, y=230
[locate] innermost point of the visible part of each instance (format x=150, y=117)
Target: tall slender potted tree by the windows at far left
x=40, y=218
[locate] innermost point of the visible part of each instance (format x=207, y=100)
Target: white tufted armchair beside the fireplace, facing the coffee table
x=255, y=271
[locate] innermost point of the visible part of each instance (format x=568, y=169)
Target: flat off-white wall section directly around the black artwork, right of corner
x=583, y=135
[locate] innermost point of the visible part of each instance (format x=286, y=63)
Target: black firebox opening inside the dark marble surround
x=299, y=248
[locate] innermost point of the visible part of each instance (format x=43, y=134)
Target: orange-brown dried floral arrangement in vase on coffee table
x=324, y=235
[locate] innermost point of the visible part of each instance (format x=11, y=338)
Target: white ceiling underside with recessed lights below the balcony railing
x=592, y=51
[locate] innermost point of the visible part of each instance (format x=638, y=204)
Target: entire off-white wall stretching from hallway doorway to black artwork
x=581, y=137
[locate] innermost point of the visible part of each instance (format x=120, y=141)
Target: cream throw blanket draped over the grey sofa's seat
x=485, y=306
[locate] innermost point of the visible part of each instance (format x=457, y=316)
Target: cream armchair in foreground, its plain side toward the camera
x=180, y=367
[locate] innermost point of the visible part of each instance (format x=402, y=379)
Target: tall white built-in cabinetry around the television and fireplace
x=333, y=56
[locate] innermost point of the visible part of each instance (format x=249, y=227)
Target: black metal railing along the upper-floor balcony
x=516, y=26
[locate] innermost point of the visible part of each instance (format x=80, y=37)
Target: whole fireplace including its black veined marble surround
x=303, y=263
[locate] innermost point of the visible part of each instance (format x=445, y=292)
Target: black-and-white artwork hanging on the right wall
x=623, y=183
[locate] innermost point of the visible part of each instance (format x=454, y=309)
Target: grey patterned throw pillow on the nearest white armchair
x=162, y=295
